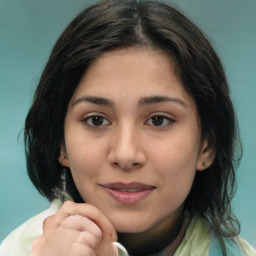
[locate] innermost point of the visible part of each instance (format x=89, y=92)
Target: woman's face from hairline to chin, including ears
x=132, y=139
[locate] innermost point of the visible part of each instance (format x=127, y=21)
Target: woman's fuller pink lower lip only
x=128, y=197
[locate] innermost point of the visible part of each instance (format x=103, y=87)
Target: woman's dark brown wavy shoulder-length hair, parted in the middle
x=114, y=24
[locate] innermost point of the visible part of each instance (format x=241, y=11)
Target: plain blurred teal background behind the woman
x=28, y=30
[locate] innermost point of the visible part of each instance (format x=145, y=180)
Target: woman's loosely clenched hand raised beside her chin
x=76, y=230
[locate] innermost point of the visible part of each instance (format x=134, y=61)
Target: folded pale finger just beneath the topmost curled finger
x=80, y=223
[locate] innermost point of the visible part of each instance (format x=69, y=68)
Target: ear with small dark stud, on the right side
x=206, y=156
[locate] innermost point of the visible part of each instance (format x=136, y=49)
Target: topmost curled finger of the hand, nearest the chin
x=92, y=213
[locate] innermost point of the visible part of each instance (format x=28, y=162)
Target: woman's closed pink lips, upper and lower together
x=128, y=193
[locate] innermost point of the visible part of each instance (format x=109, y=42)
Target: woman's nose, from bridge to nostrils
x=127, y=151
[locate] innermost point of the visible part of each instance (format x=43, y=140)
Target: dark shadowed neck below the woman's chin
x=155, y=239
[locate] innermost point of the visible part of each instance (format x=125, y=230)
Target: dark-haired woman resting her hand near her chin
x=132, y=115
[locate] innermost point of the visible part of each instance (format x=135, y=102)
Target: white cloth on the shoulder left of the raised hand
x=19, y=241
